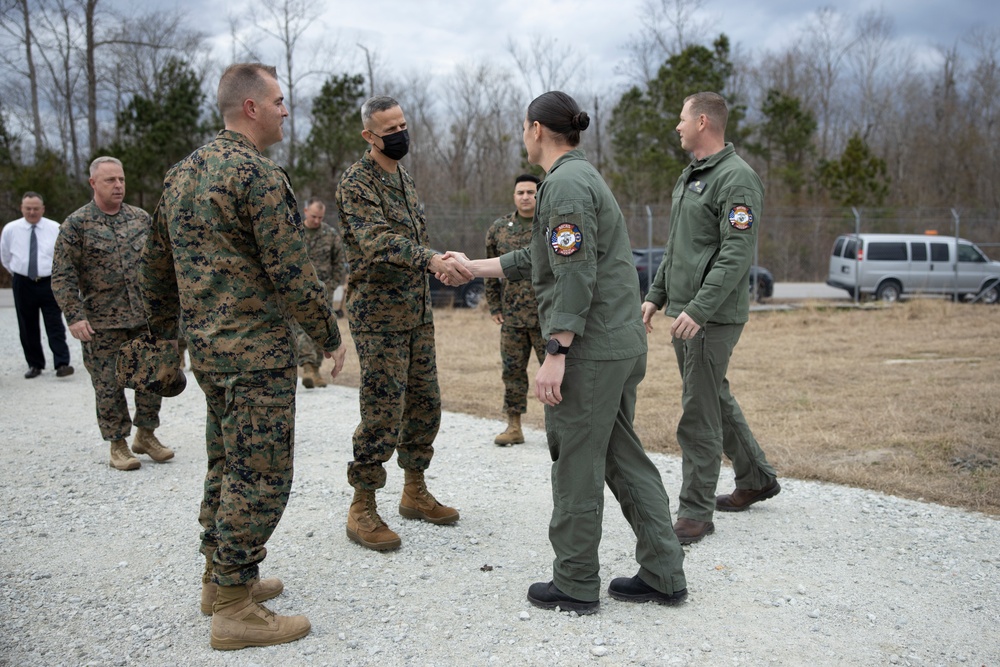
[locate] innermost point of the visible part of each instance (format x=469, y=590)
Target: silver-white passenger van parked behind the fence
x=888, y=265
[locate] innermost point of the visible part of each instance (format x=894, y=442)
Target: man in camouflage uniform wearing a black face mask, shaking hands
x=389, y=312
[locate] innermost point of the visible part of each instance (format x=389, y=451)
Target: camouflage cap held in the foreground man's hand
x=147, y=364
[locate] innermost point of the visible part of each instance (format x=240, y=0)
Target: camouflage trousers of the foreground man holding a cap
x=249, y=438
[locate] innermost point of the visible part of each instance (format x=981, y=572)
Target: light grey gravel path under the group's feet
x=100, y=567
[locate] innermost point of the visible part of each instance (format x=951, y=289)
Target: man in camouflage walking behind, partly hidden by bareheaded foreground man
x=326, y=251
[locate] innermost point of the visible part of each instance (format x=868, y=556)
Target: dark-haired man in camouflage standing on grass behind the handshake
x=514, y=308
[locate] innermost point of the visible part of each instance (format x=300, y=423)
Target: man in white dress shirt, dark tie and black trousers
x=26, y=247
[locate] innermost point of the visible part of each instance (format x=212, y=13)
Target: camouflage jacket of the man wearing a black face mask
x=385, y=238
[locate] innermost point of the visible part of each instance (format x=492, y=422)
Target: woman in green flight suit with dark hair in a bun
x=581, y=268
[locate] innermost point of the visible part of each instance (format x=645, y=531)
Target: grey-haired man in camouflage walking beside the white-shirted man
x=94, y=281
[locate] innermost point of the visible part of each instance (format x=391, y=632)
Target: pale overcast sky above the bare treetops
x=435, y=35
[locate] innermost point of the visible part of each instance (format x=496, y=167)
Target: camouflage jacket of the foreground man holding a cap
x=226, y=249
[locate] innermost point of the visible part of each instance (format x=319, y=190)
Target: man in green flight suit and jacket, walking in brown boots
x=702, y=281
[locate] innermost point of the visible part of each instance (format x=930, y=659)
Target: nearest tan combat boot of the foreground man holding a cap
x=238, y=621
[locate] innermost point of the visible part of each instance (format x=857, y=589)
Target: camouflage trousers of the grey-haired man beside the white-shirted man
x=100, y=356
